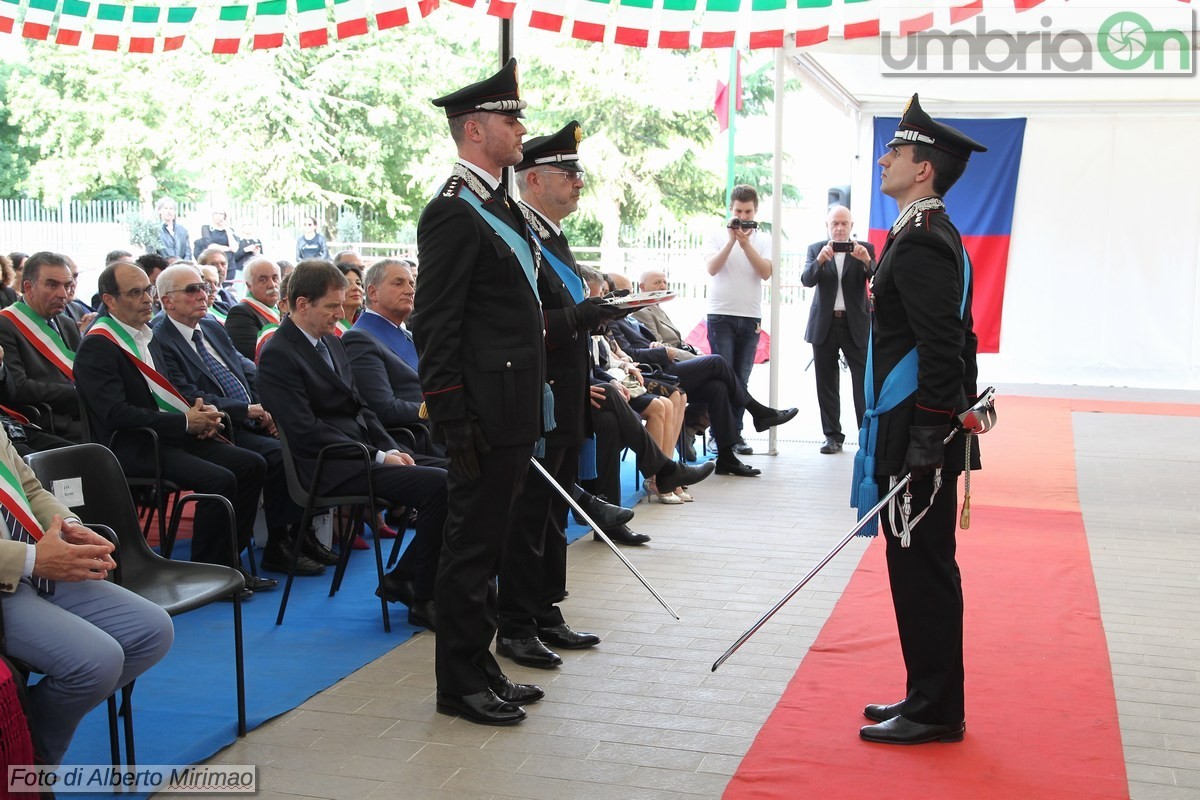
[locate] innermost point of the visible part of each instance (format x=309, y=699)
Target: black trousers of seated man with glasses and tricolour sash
x=212, y=467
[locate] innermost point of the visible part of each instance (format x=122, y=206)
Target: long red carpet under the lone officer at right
x=1041, y=711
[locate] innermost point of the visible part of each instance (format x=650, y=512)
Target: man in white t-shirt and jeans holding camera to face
x=740, y=261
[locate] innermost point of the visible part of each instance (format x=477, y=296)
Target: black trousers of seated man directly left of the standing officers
x=416, y=488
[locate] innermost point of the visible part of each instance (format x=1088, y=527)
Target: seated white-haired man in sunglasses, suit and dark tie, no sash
x=195, y=354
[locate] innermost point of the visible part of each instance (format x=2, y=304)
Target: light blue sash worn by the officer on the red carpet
x=901, y=383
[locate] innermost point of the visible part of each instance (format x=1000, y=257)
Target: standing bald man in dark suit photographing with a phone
x=838, y=320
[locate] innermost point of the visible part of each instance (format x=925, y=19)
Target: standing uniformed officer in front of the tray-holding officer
x=478, y=329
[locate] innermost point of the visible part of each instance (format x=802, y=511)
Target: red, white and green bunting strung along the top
x=674, y=25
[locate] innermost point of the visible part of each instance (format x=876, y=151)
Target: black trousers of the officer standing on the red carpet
x=927, y=594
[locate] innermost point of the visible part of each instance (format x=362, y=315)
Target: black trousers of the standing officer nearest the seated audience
x=479, y=522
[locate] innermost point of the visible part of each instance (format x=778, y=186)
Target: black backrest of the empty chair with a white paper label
x=105, y=495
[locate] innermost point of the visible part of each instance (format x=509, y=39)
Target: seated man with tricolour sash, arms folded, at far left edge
x=40, y=342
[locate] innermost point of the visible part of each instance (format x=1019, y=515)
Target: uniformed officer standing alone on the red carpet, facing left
x=921, y=372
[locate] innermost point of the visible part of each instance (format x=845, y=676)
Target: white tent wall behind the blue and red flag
x=1103, y=282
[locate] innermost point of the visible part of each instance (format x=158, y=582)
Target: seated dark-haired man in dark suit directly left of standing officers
x=305, y=381
